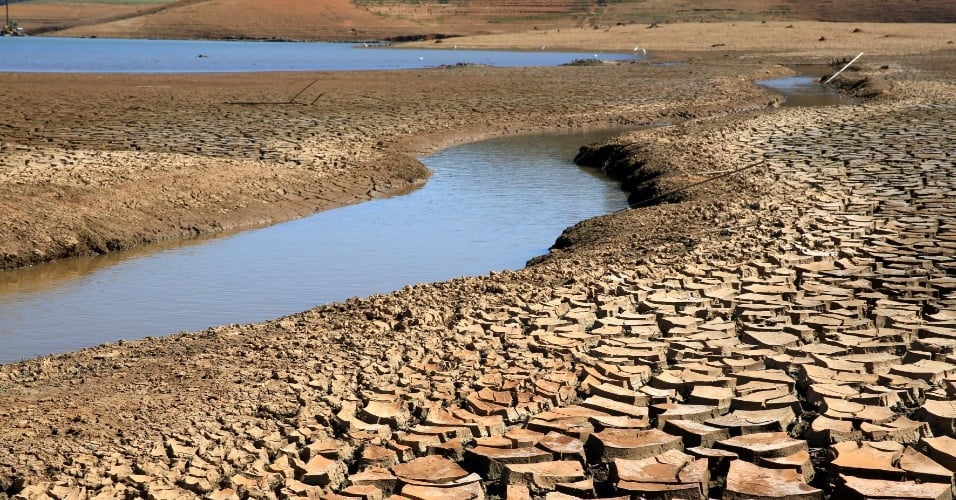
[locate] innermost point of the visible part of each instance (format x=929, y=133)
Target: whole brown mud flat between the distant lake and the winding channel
x=99, y=163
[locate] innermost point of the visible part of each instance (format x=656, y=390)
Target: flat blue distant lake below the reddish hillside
x=101, y=55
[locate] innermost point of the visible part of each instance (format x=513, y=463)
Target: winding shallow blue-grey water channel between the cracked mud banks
x=490, y=205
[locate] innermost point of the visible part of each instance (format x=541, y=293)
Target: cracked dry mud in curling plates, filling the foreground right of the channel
x=784, y=332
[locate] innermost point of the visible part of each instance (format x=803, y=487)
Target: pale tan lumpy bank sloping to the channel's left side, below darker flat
x=139, y=199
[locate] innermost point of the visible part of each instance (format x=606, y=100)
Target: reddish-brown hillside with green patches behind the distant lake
x=379, y=19
